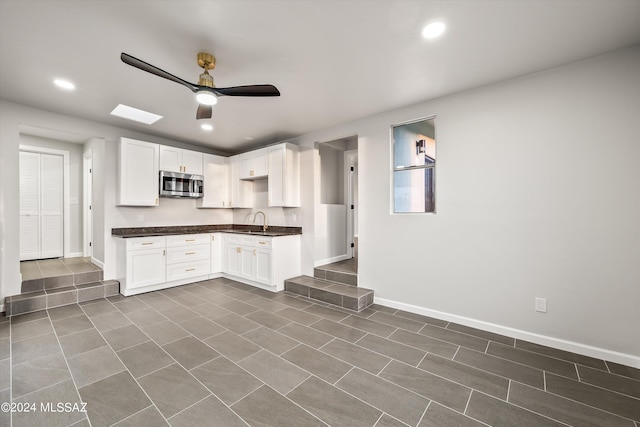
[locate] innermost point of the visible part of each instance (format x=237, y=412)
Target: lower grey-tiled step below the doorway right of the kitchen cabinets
x=347, y=296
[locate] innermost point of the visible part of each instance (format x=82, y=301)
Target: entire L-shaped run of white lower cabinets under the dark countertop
x=147, y=264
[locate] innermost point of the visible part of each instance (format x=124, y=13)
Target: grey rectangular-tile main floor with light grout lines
x=222, y=353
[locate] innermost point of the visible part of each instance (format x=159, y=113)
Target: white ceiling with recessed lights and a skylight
x=333, y=61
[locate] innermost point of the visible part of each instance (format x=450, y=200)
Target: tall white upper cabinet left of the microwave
x=138, y=173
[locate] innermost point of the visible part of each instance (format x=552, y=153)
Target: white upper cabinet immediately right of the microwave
x=216, y=183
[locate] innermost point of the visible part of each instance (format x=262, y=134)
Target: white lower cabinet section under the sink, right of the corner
x=265, y=262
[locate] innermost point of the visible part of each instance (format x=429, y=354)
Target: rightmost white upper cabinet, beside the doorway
x=284, y=175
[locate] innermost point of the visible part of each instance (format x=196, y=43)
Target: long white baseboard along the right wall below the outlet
x=574, y=347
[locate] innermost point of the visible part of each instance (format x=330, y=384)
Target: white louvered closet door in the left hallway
x=41, y=208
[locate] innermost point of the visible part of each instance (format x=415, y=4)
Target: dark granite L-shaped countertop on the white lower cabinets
x=272, y=231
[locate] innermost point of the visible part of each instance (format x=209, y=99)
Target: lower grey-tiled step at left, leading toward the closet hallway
x=28, y=302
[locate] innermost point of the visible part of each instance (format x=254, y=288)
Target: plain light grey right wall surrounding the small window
x=538, y=195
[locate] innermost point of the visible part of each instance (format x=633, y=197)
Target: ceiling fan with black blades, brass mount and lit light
x=206, y=92
